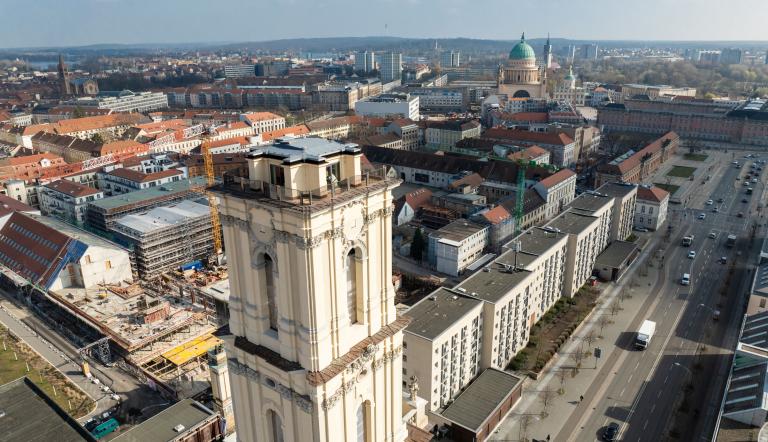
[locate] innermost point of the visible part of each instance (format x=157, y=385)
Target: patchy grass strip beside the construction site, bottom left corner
x=41, y=373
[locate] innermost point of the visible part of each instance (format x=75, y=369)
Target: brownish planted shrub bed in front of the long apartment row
x=554, y=329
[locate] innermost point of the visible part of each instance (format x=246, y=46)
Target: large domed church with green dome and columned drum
x=522, y=77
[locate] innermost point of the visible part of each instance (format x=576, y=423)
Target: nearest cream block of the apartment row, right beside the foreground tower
x=445, y=354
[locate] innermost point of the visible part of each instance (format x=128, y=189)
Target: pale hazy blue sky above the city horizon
x=80, y=22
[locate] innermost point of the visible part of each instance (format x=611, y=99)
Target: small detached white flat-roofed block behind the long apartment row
x=457, y=245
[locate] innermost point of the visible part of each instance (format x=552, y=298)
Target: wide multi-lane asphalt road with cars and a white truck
x=641, y=390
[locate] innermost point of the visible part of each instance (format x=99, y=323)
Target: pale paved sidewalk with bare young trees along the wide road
x=560, y=409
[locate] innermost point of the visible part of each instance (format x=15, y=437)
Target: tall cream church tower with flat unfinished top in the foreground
x=316, y=348
